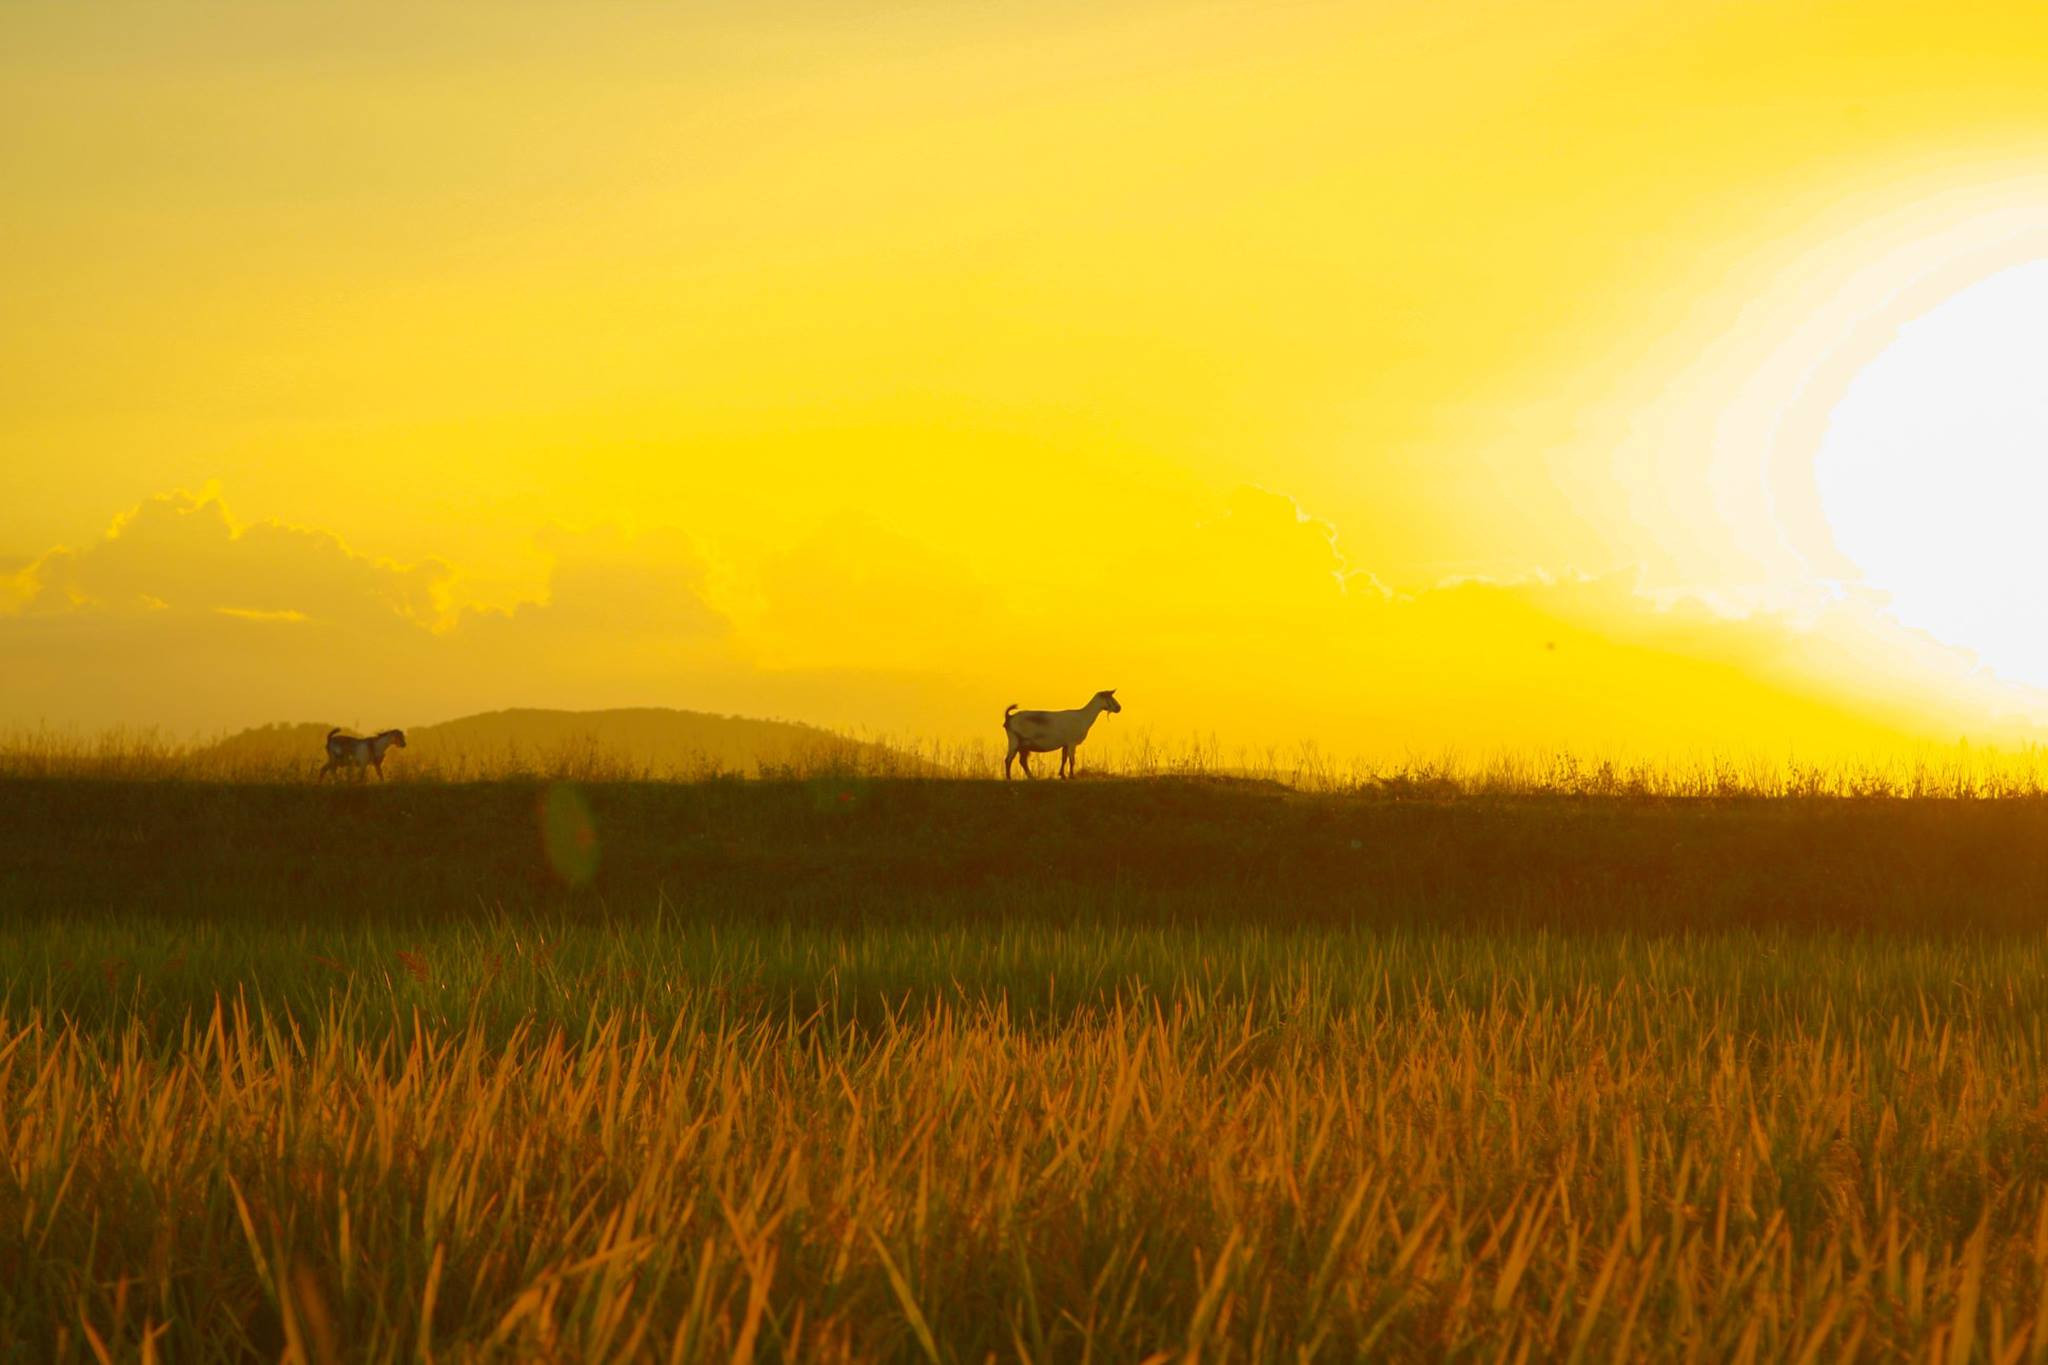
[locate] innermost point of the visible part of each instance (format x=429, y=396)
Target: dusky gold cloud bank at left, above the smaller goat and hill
x=183, y=615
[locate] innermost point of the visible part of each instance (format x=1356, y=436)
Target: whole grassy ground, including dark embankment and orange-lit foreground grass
x=896, y=1069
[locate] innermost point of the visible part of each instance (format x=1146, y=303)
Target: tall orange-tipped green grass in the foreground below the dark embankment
x=1228, y=1145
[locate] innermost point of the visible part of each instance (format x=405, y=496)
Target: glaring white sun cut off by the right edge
x=1934, y=472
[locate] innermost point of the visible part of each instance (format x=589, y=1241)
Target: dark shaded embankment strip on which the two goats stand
x=906, y=852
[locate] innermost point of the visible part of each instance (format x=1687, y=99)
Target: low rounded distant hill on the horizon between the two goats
x=589, y=744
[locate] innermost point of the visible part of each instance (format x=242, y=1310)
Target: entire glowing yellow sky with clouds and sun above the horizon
x=1383, y=378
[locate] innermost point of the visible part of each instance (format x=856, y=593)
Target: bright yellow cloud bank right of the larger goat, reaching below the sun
x=1265, y=621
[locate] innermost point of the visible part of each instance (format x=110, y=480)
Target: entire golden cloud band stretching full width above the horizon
x=1258, y=623
